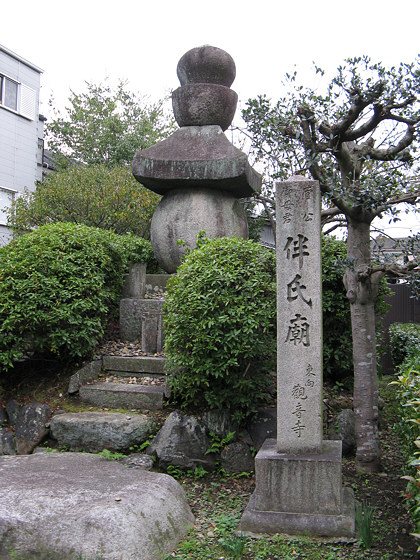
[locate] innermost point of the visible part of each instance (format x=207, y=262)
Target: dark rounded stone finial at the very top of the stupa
x=208, y=65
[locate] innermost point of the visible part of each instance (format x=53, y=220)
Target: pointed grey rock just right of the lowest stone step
x=182, y=441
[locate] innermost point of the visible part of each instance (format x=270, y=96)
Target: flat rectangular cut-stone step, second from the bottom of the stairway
x=123, y=395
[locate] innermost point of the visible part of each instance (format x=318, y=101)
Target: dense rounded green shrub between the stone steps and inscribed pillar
x=220, y=325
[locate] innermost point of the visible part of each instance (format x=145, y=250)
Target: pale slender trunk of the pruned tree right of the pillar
x=362, y=289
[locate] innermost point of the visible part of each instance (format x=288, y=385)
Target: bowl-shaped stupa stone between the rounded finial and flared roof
x=204, y=104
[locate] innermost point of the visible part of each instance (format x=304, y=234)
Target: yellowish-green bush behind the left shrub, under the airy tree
x=96, y=196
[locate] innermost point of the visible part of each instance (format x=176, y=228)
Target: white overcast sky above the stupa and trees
x=142, y=41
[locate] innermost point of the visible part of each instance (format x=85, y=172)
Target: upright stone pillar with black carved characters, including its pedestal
x=298, y=476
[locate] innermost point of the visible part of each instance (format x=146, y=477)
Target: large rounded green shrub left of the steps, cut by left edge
x=58, y=285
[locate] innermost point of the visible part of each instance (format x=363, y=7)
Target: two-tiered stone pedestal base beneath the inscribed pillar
x=300, y=494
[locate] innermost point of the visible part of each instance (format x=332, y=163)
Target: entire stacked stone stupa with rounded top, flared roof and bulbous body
x=200, y=174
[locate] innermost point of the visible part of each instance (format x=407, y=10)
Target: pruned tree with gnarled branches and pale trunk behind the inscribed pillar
x=359, y=140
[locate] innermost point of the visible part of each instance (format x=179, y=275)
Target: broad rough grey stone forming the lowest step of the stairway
x=95, y=431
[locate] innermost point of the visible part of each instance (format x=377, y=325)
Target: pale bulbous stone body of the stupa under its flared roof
x=183, y=213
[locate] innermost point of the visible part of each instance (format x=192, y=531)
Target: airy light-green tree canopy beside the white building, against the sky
x=105, y=125
